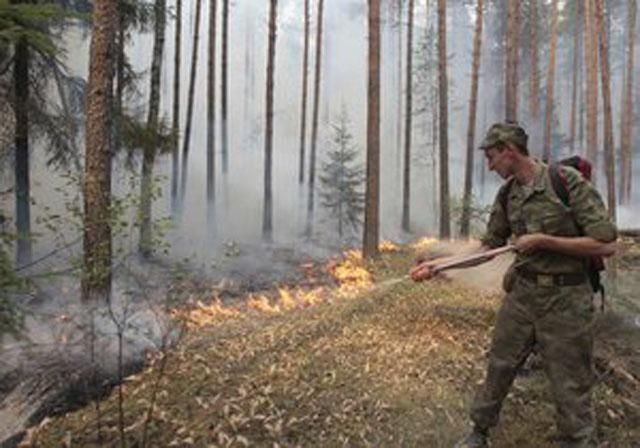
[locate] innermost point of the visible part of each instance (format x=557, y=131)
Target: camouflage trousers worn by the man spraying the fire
x=558, y=321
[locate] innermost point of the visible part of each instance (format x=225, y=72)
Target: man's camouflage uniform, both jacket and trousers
x=540, y=308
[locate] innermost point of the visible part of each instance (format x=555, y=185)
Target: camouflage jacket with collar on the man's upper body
x=536, y=208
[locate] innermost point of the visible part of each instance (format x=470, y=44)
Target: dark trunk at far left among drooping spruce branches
x=23, y=184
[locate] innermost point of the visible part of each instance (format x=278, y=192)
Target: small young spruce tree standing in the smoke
x=342, y=179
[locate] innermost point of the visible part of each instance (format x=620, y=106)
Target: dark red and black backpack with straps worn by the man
x=595, y=264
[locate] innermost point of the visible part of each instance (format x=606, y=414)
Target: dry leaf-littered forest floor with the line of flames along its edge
x=369, y=361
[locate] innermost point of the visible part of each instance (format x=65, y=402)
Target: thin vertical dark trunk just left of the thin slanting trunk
x=175, y=128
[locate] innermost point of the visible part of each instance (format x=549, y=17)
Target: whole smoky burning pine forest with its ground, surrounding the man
x=178, y=173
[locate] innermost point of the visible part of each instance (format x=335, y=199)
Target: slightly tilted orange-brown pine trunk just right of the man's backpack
x=609, y=154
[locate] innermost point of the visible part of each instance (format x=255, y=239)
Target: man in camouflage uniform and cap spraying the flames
x=549, y=299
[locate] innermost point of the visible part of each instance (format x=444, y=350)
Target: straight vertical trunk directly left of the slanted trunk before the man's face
x=445, y=227
